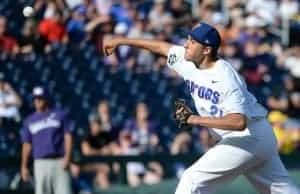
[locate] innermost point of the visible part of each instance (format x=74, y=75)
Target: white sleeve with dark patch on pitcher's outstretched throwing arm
x=177, y=62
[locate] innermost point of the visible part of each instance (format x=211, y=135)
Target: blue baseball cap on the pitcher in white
x=206, y=34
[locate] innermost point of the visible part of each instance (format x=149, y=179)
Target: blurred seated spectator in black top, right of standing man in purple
x=97, y=143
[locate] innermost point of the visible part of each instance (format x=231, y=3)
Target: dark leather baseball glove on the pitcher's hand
x=181, y=114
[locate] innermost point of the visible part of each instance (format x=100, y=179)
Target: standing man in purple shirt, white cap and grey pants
x=47, y=134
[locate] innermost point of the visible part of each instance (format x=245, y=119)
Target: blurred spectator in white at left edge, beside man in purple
x=10, y=101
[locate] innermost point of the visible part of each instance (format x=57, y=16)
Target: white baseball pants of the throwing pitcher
x=254, y=155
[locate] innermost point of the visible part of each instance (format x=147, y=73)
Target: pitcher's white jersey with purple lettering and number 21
x=216, y=91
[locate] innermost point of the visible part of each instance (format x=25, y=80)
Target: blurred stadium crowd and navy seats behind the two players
x=120, y=106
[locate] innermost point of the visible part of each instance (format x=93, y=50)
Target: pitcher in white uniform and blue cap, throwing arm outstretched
x=246, y=142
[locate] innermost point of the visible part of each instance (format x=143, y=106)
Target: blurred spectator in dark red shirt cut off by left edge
x=8, y=44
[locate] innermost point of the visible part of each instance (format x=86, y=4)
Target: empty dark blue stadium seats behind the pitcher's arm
x=77, y=78
